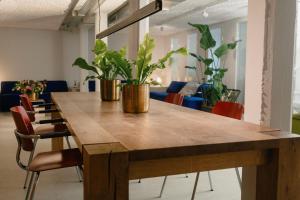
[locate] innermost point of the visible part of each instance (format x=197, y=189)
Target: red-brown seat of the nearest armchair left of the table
x=56, y=160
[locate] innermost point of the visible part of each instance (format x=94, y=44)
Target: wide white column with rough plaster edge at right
x=269, y=65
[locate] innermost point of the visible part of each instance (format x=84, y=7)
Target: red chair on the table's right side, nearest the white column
x=227, y=109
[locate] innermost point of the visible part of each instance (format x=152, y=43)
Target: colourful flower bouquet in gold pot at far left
x=32, y=88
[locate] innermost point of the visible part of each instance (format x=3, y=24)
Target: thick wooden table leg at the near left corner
x=106, y=169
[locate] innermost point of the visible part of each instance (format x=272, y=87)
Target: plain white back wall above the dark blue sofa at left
x=37, y=54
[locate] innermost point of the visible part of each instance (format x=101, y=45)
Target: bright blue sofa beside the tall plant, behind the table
x=194, y=102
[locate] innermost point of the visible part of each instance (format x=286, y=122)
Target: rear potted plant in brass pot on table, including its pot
x=104, y=69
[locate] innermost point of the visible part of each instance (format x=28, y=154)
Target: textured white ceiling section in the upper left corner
x=40, y=14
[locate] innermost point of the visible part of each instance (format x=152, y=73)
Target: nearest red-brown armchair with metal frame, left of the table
x=27, y=139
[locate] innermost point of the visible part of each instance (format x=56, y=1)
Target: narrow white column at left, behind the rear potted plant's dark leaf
x=84, y=53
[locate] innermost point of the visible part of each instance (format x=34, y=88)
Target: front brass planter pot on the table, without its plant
x=136, y=98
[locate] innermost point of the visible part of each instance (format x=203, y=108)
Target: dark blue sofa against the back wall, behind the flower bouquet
x=9, y=98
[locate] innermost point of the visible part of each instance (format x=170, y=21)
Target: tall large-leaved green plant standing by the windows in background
x=213, y=63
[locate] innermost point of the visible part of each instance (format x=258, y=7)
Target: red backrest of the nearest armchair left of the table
x=23, y=126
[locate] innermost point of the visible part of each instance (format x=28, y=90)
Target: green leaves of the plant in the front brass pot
x=142, y=65
